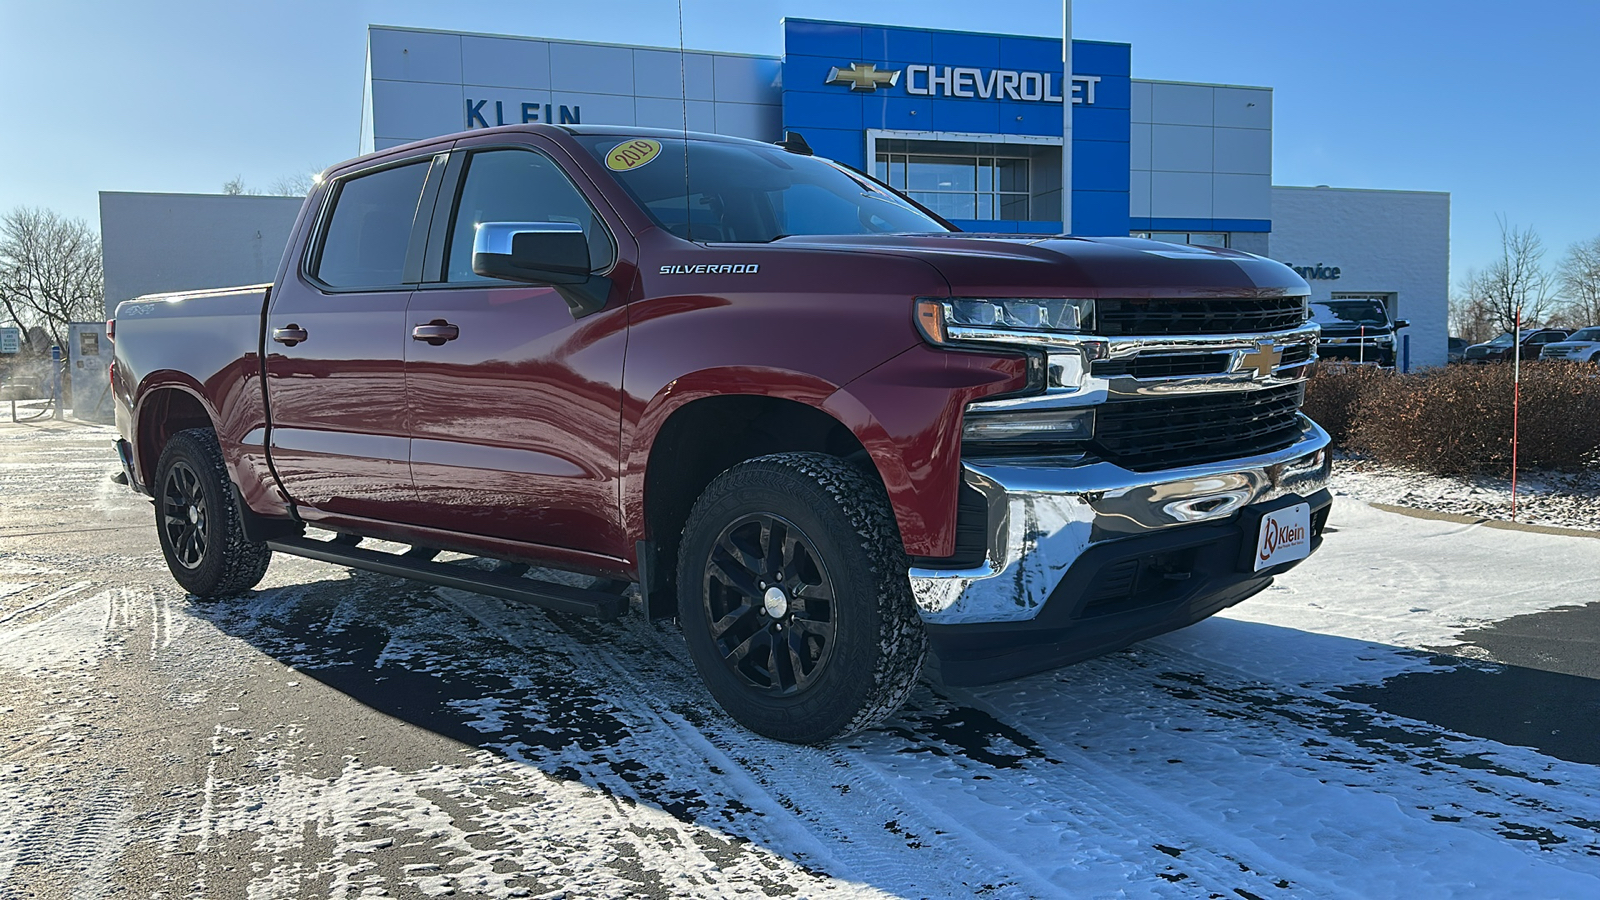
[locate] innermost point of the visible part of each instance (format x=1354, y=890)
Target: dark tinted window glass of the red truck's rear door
x=370, y=228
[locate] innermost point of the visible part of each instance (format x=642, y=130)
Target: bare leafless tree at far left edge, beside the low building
x=50, y=271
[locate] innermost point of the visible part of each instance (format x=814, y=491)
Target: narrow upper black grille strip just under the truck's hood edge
x=1222, y=316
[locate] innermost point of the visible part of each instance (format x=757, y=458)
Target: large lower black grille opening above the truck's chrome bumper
x=1151, y=435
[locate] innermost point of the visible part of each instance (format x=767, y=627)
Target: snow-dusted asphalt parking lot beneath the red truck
x=1412, y=713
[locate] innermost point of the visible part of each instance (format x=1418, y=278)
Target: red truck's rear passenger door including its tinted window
x=337, y=347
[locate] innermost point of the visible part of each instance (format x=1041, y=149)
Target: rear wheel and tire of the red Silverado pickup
x=199, y=523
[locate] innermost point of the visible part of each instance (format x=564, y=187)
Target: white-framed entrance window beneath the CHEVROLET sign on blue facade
x=961, y=180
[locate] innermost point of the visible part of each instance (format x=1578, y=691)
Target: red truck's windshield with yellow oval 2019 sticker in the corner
x=751, y=193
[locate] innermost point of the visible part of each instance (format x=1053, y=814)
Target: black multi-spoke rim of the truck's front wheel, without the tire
x=770, y=605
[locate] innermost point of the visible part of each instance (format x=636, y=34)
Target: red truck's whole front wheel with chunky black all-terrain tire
x=839, y=532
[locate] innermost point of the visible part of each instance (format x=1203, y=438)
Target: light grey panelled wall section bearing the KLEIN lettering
x=423, y=81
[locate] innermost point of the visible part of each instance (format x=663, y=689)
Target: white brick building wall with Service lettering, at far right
x=1385, y=243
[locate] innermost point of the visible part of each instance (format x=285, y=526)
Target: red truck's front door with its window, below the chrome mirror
x=516, y=417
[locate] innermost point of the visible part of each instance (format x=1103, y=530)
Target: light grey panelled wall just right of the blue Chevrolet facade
x=1201, y=151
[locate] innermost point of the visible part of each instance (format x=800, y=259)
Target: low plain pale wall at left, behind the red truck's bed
x=166, y=243
